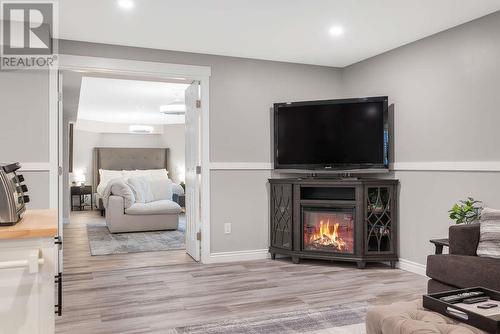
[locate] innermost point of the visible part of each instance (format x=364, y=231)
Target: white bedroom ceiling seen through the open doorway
x=124, y=101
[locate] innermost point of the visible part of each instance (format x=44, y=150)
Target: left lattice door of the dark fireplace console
x=281, y=215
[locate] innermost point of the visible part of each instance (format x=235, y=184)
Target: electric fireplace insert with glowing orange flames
x=328, y=230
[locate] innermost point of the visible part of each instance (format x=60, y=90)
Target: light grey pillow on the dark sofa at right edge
x=489, y=240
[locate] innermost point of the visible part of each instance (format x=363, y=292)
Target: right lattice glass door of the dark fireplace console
x=379, y=219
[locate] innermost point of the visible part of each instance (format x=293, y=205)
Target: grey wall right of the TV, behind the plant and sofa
x=445, y=91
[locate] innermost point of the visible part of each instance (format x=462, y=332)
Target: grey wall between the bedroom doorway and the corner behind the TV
x=242, y=92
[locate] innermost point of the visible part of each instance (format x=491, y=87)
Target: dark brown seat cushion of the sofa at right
x=464, y=271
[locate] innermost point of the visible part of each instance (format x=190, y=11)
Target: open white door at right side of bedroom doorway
x=193, y=170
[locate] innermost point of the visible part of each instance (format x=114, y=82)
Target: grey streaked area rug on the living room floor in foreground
x=338, y=319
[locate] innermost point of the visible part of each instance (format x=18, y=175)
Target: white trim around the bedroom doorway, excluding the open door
x=155, y=70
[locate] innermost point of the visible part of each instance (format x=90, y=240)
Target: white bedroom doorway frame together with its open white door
x=196, y=174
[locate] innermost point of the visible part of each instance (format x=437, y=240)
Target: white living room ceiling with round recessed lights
x=283, y=30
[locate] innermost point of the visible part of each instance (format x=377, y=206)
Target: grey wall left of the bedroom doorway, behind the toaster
x=24, y=127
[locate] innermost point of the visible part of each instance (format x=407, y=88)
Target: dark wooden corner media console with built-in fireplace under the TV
x=330, y=219
